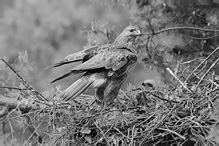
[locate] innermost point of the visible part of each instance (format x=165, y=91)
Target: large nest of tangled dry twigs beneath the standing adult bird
x=179, y=117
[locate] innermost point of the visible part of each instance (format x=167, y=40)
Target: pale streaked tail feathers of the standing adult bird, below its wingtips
x=75, y=89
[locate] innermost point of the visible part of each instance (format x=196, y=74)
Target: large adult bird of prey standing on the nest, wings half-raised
x=104, y=68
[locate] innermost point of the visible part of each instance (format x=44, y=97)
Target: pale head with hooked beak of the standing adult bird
x=128, y=34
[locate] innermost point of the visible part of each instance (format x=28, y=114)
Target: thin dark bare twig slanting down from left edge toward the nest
x=40, y=96
